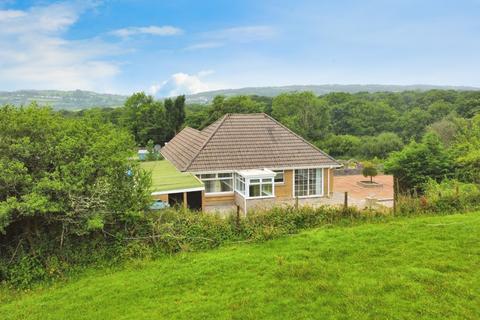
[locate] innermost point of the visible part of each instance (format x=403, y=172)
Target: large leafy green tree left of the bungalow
x=65, y=178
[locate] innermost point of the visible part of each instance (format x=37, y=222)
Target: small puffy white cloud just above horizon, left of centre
x=183, y=83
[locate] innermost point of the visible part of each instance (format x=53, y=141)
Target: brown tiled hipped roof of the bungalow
x=242, y=141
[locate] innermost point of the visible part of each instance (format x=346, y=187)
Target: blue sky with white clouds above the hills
x=170, y=47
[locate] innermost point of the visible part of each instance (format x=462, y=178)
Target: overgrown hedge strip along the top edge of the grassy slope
x=169, y=231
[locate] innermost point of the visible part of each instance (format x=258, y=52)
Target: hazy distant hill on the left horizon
x=68, y=100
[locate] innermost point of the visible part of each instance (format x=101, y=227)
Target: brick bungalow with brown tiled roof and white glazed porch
x=251, y=160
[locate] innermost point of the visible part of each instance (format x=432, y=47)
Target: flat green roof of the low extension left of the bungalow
x=166, y=177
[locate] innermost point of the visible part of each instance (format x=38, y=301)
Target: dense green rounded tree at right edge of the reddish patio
x=418, y=162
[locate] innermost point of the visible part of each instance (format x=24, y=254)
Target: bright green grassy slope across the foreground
x=412, y=268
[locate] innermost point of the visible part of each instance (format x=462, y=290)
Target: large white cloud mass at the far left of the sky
x=36, y=55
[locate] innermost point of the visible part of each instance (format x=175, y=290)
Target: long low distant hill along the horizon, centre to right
x=205, y=97
